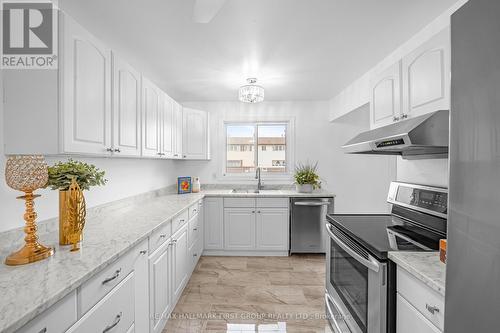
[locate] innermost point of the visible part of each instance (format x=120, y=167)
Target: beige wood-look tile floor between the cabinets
x=253, y=294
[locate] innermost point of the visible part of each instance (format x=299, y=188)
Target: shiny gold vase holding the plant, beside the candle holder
x=71, y=212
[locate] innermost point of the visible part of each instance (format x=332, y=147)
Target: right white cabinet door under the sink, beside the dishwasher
x=272, y=229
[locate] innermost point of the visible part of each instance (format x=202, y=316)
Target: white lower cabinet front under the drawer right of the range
x=409, y=320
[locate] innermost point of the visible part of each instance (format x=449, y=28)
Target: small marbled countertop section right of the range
x=425, y=266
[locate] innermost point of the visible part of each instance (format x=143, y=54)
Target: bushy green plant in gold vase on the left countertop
x=71, y=178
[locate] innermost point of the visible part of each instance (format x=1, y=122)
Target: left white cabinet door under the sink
x=239, y=228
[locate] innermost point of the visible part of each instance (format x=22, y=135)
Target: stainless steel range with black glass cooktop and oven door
x=361, y=282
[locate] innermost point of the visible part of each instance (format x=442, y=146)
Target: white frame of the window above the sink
x=255, y=121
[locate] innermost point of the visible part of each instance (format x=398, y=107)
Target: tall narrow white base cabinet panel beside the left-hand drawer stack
x=141, y=272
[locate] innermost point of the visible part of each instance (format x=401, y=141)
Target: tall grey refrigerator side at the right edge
x=473, y=266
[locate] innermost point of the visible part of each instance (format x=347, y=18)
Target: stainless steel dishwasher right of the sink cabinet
x=307, y=227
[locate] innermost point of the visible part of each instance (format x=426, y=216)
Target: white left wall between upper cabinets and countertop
x=127, y=177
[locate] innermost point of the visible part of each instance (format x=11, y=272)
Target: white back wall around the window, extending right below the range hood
x=360, y=182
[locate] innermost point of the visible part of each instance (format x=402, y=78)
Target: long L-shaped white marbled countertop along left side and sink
x=28, y=290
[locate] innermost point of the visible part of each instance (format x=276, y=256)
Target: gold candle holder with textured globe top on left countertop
x=28, y=173
